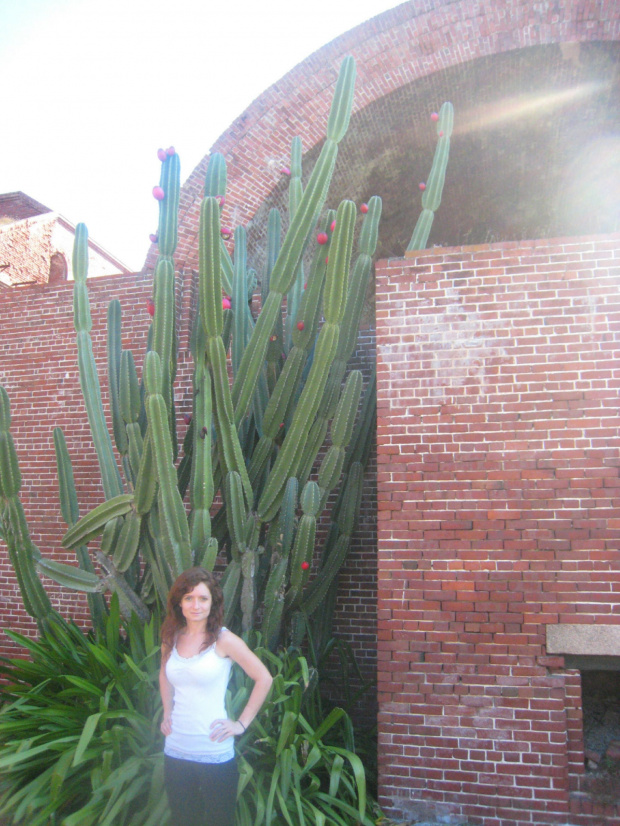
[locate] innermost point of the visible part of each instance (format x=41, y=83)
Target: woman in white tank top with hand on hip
x=197, y=656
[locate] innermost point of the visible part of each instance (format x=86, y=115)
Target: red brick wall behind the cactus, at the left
x=38, y=368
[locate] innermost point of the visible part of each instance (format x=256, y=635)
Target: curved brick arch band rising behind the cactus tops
x=391, y=50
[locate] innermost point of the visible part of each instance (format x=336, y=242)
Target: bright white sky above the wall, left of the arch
x=92, y=88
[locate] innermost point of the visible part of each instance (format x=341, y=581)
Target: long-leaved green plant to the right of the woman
x=296, y=766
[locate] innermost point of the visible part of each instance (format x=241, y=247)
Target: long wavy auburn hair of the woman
x=175, y=620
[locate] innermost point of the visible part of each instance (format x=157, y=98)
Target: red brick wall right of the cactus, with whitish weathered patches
x=499, y=512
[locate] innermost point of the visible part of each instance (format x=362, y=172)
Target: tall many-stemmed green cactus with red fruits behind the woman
x=250, y=447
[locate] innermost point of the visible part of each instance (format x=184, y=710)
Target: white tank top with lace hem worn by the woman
x=199, y=684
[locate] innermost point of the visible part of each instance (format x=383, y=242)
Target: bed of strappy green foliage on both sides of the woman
x=80, y=741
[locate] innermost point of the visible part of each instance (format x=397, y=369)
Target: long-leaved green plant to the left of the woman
x=78, y=717
